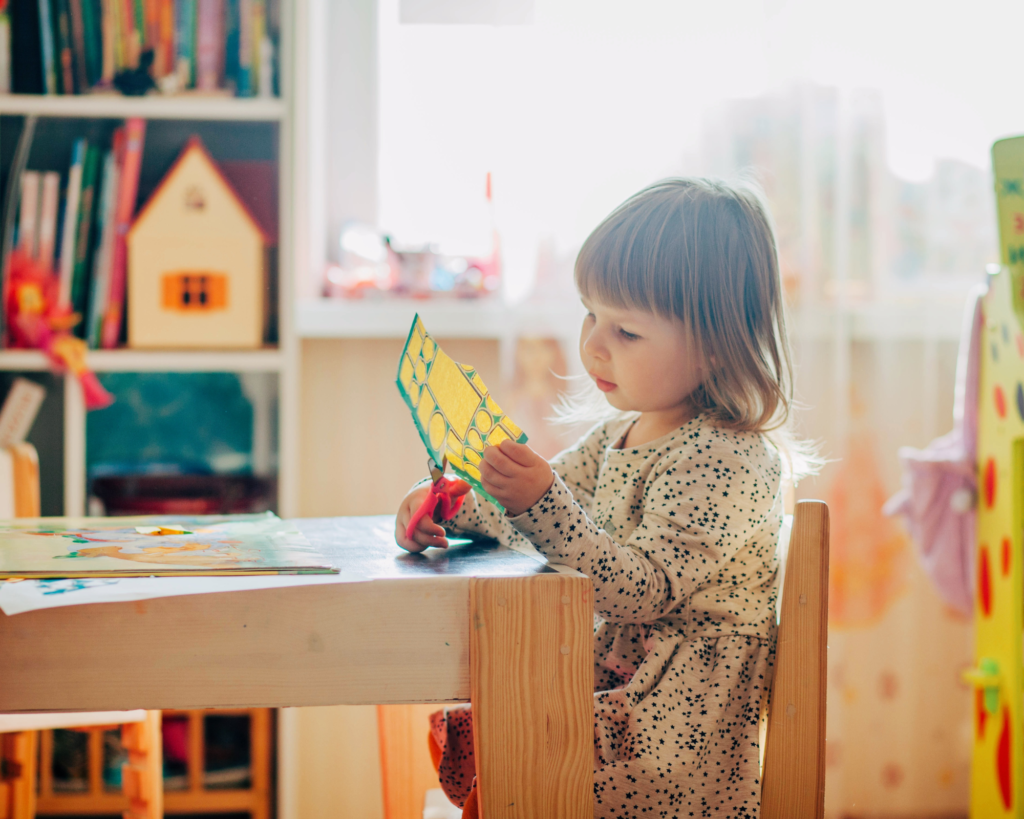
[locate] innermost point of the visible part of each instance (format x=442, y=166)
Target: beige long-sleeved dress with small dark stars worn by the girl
x=678, y=537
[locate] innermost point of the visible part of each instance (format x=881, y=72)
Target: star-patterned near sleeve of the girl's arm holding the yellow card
x=691, y=532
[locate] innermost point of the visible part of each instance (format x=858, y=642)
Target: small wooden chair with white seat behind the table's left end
x=144, y=777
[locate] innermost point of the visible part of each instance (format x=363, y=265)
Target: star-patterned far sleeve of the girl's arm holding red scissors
x=577, y=467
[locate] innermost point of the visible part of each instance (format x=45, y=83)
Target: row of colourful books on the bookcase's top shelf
x=79, y=47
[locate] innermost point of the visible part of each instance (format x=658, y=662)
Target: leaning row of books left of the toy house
x=83, y=239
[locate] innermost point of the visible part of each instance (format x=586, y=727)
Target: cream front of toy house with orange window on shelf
x=196, y=273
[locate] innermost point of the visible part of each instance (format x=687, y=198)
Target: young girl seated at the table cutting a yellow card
x=673, y=507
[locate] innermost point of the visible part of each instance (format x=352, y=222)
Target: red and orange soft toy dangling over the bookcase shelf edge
x=35, y=322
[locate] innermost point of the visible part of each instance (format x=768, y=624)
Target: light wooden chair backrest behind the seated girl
x=793, y=781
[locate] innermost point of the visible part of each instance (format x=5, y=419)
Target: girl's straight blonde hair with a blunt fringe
x=704, y=252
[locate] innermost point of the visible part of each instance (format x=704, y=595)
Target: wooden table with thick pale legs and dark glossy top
x=478, y=623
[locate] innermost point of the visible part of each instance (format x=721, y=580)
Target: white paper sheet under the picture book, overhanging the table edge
x=17, y=597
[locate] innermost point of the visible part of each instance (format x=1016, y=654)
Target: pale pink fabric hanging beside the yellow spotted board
x=940, y=492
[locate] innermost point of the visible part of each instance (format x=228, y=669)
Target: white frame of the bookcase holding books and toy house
x=280, y=361
